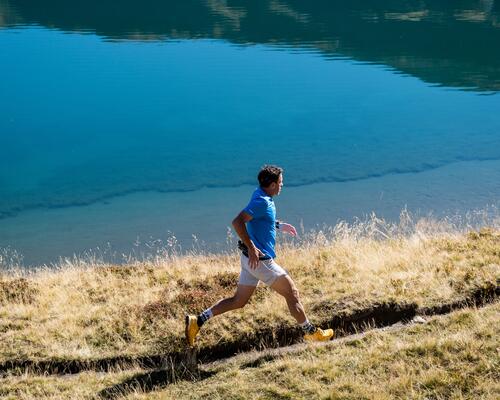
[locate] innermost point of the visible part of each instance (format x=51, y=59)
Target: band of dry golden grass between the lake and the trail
x=86, y=311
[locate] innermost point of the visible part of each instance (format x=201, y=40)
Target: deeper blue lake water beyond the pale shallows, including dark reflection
x=89, y=118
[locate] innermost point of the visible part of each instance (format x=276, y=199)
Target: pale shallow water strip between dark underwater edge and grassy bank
x=151, y=219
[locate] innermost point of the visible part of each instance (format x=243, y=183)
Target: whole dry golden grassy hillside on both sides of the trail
x=85, y=314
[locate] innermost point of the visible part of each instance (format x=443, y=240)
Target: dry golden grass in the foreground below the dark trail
x=456, y=356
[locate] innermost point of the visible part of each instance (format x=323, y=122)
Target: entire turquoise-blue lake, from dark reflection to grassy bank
x=141, y=120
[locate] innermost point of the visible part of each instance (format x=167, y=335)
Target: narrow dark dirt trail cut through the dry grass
x=376, y=316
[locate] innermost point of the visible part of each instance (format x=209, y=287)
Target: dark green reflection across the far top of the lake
x=449, y=43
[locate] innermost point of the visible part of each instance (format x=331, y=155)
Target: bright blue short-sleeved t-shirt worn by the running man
x=262, y=227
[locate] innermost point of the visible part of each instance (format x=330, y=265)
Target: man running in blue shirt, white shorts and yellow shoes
x=256, y=226
